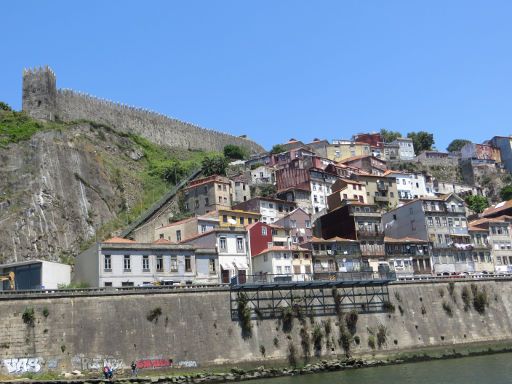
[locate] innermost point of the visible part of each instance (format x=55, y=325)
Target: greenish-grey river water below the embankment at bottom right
x=490, y=369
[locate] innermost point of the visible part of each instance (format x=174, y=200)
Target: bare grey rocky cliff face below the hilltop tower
x=58, y=187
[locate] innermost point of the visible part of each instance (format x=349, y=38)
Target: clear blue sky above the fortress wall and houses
x=278, y=69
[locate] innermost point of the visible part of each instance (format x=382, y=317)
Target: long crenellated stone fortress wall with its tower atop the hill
x=42, y=100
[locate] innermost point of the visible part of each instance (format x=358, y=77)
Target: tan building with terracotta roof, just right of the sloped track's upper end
x=208, y=194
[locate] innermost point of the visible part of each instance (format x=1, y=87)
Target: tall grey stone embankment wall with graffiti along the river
x=196, y=329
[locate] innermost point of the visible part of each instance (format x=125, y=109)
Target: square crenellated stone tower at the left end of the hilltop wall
x=40, y=93
